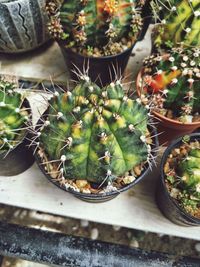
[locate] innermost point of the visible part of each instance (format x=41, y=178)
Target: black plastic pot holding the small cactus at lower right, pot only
x=168, y=205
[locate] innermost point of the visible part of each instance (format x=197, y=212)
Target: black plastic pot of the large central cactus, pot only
x=98, y=198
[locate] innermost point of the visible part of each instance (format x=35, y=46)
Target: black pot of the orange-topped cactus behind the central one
x=102, y=70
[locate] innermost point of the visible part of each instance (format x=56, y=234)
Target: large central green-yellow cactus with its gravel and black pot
x=95, y=143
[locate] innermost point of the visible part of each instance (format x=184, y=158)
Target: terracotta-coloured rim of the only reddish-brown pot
x=160, y=116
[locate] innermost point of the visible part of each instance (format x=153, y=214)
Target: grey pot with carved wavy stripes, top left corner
x=22, y=25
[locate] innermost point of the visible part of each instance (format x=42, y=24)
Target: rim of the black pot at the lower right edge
x=176, y=143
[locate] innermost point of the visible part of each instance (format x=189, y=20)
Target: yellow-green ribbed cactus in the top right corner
x=179, y=23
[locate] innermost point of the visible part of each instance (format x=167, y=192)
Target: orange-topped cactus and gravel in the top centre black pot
x=96, y=28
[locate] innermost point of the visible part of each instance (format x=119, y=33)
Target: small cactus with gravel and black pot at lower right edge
x=178, y=193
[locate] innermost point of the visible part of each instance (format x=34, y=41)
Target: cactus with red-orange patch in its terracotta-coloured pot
x=171, y=84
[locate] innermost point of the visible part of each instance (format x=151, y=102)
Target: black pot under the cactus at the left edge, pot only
x=19, y=159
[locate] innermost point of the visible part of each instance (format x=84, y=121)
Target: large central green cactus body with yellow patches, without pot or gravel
x=97, y=135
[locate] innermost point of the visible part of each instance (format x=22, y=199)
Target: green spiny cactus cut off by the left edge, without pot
x=13, y=116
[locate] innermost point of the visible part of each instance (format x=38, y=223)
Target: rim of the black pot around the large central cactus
x=100, y=195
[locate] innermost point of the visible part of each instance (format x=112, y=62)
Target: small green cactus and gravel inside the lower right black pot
x=183, y=176
